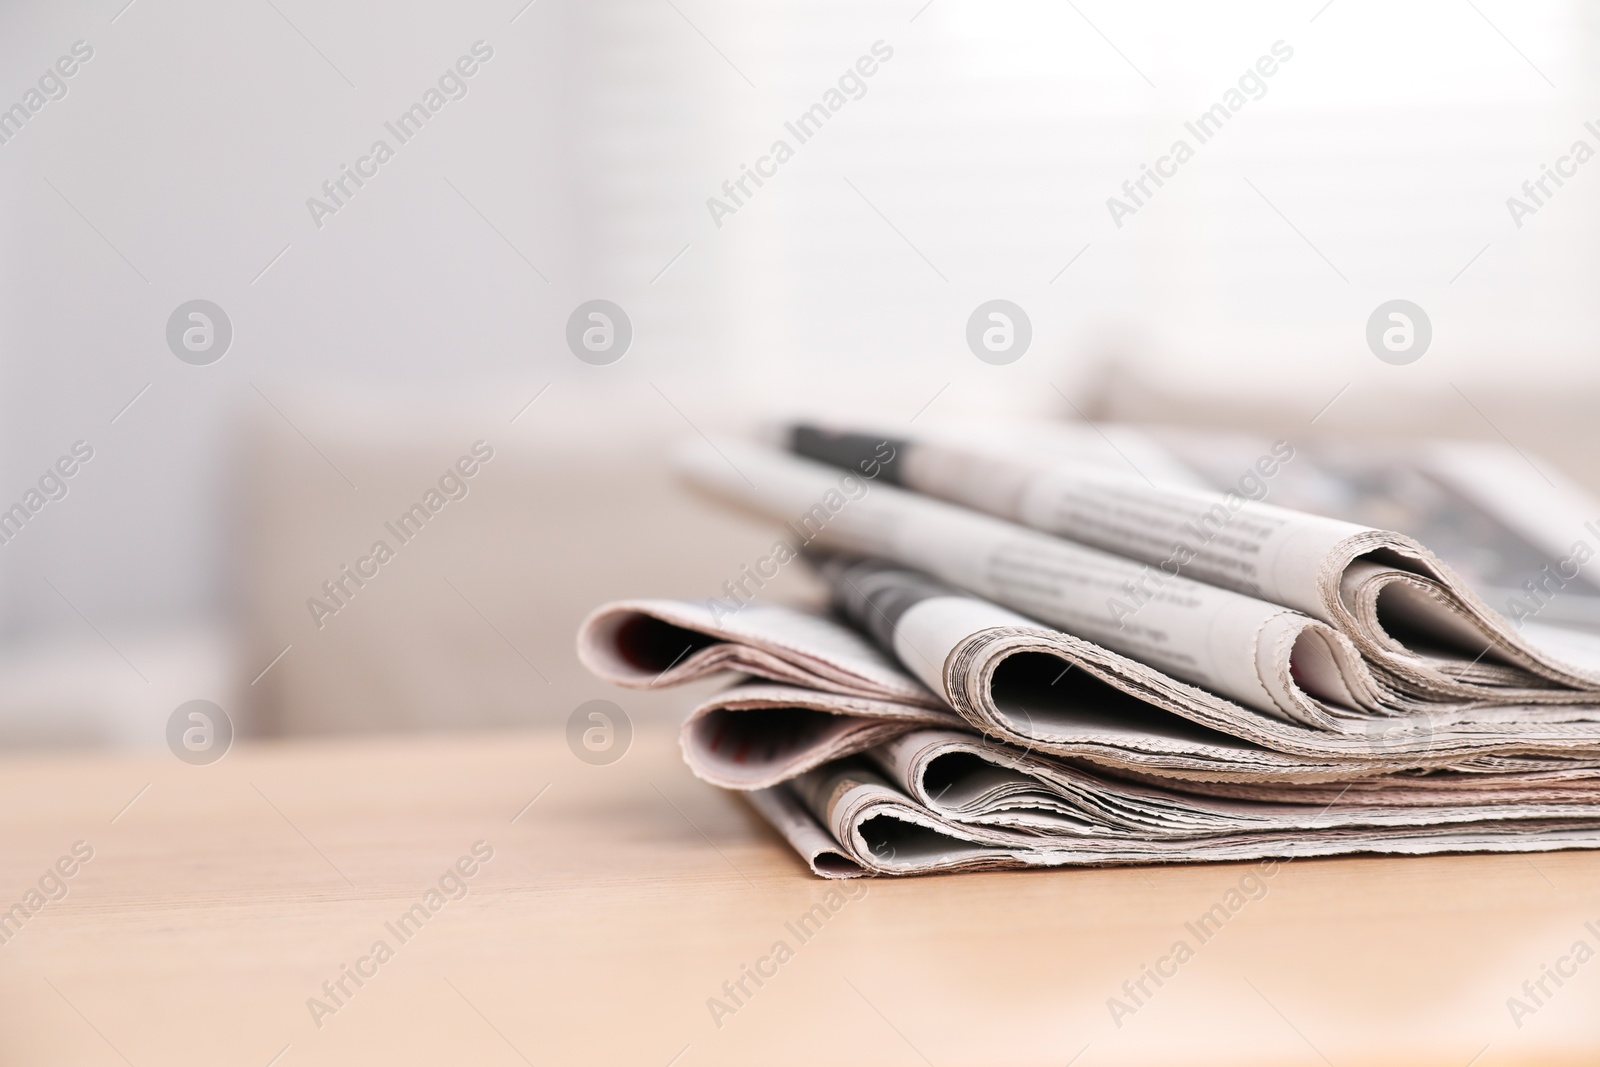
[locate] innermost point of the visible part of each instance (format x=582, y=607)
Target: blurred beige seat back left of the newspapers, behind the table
x=471, y=625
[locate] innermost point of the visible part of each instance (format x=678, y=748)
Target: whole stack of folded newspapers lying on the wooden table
x=1034, y=660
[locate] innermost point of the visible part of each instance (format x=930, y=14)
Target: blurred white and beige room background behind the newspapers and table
x=383, y=330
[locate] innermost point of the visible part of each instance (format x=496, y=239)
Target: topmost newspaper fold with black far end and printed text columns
x=1426, y=633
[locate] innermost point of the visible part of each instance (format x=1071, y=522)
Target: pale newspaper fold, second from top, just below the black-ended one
x=1260, y=655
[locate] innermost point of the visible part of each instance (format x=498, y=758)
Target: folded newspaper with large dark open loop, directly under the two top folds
x=1041, y=689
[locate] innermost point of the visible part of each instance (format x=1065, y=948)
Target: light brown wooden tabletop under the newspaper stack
x=614, y=908
